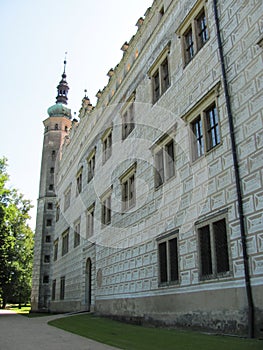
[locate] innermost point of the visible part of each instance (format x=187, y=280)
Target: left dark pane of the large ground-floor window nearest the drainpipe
x=205, y=251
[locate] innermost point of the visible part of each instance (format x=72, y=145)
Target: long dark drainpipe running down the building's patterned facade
x=237, y=180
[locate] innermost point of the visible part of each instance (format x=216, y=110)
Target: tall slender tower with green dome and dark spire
x=56, y=126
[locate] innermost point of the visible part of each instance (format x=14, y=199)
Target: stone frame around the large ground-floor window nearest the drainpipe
x=211, y=264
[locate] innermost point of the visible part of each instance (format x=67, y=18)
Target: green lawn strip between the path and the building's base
x=131, y=337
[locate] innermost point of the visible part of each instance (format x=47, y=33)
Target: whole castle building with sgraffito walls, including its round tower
x=151, y=208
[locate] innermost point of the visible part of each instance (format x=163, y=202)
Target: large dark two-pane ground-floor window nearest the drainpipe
x=213, y=249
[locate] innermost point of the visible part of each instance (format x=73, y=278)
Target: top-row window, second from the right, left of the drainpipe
x=159, y=74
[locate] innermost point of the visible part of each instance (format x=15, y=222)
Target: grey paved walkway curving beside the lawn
x=22, y=333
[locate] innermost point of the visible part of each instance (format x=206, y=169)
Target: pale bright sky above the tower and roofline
x=34, y=36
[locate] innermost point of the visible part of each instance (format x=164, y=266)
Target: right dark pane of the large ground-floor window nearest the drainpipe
x=221, y=248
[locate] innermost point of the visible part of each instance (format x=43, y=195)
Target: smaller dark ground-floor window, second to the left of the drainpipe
x=168, y=259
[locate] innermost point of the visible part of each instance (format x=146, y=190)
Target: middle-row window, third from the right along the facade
x=128, y=188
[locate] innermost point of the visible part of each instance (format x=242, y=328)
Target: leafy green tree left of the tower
x=16, y=242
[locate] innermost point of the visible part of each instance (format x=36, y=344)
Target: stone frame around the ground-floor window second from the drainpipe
x=167, y=266
